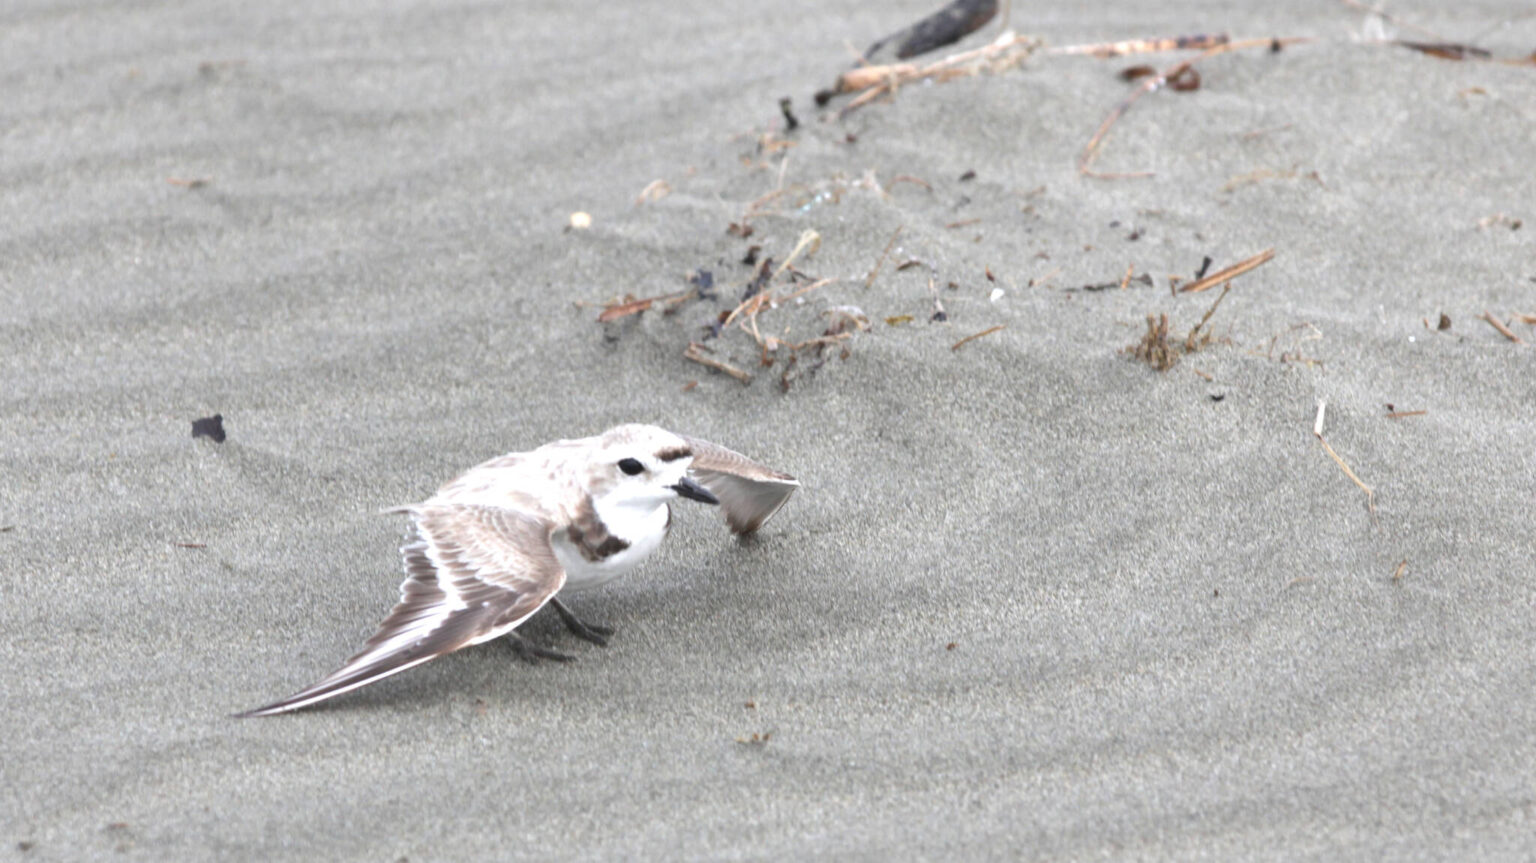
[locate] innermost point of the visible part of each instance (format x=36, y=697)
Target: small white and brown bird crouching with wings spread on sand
x=497, y=544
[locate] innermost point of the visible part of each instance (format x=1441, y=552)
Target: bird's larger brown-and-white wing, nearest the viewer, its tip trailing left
x=472, y=574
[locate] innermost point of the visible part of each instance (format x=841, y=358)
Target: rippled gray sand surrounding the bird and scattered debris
x=1176, y=624
